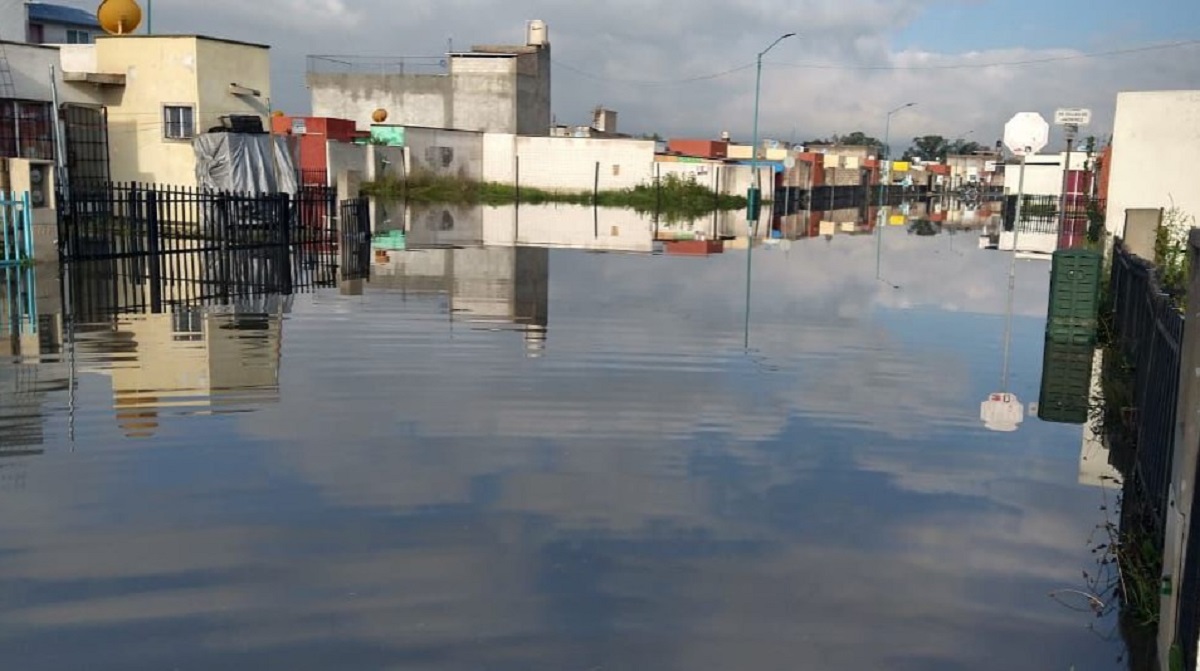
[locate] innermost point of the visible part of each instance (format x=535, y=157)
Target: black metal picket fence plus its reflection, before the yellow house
x=143, y=248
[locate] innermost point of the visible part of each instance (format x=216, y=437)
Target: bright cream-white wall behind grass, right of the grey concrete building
x=569, y=164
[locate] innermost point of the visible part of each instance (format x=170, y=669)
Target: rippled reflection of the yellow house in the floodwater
x=194, y=358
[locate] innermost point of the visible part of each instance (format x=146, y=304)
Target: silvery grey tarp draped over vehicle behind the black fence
x=242, y=163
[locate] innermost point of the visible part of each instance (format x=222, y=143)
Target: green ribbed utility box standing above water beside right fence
x=1075, y=297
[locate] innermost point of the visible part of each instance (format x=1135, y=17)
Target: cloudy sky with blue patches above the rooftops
x=965, y=63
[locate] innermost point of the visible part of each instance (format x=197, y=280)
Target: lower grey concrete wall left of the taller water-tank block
x=419, y=100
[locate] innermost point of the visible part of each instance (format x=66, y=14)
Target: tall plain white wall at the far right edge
x=1156, y=141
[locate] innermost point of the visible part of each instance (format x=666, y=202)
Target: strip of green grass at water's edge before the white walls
x=674, y=196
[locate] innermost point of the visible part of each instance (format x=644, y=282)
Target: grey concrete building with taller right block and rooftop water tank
x=500, y=89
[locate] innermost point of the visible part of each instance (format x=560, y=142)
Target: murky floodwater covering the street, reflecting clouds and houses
x=515, y=458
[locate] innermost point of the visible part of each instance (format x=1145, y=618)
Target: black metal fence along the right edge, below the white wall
x=1149, y=329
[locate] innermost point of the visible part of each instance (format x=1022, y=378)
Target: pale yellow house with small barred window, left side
x=163, y=91
